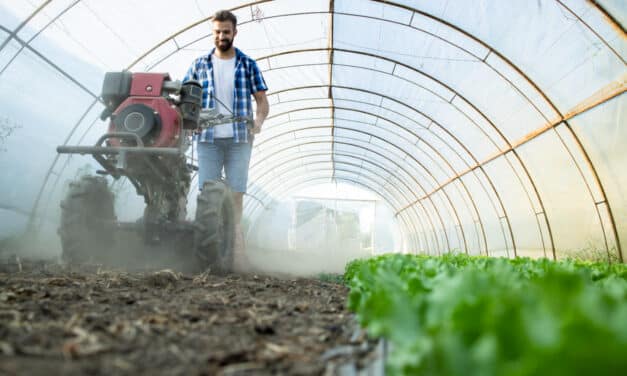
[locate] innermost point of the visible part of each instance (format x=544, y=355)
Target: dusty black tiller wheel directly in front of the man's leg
x=214, y=234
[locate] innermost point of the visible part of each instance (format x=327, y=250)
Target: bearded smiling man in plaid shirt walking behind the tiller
x=229, y=78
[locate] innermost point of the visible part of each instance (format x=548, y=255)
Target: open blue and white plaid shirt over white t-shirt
x=248, y=80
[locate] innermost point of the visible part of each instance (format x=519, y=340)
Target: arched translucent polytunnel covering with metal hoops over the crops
x=486, y=127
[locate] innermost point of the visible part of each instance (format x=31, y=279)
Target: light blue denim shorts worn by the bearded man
x=225, y=154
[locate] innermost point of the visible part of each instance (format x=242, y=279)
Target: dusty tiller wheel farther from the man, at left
x=87, y=220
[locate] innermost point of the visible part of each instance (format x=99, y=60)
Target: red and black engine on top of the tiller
x=149, y=106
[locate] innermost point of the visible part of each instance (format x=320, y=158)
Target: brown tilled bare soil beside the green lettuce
x=78, y=320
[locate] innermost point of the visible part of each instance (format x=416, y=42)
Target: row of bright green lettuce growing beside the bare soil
x=460, y=315
